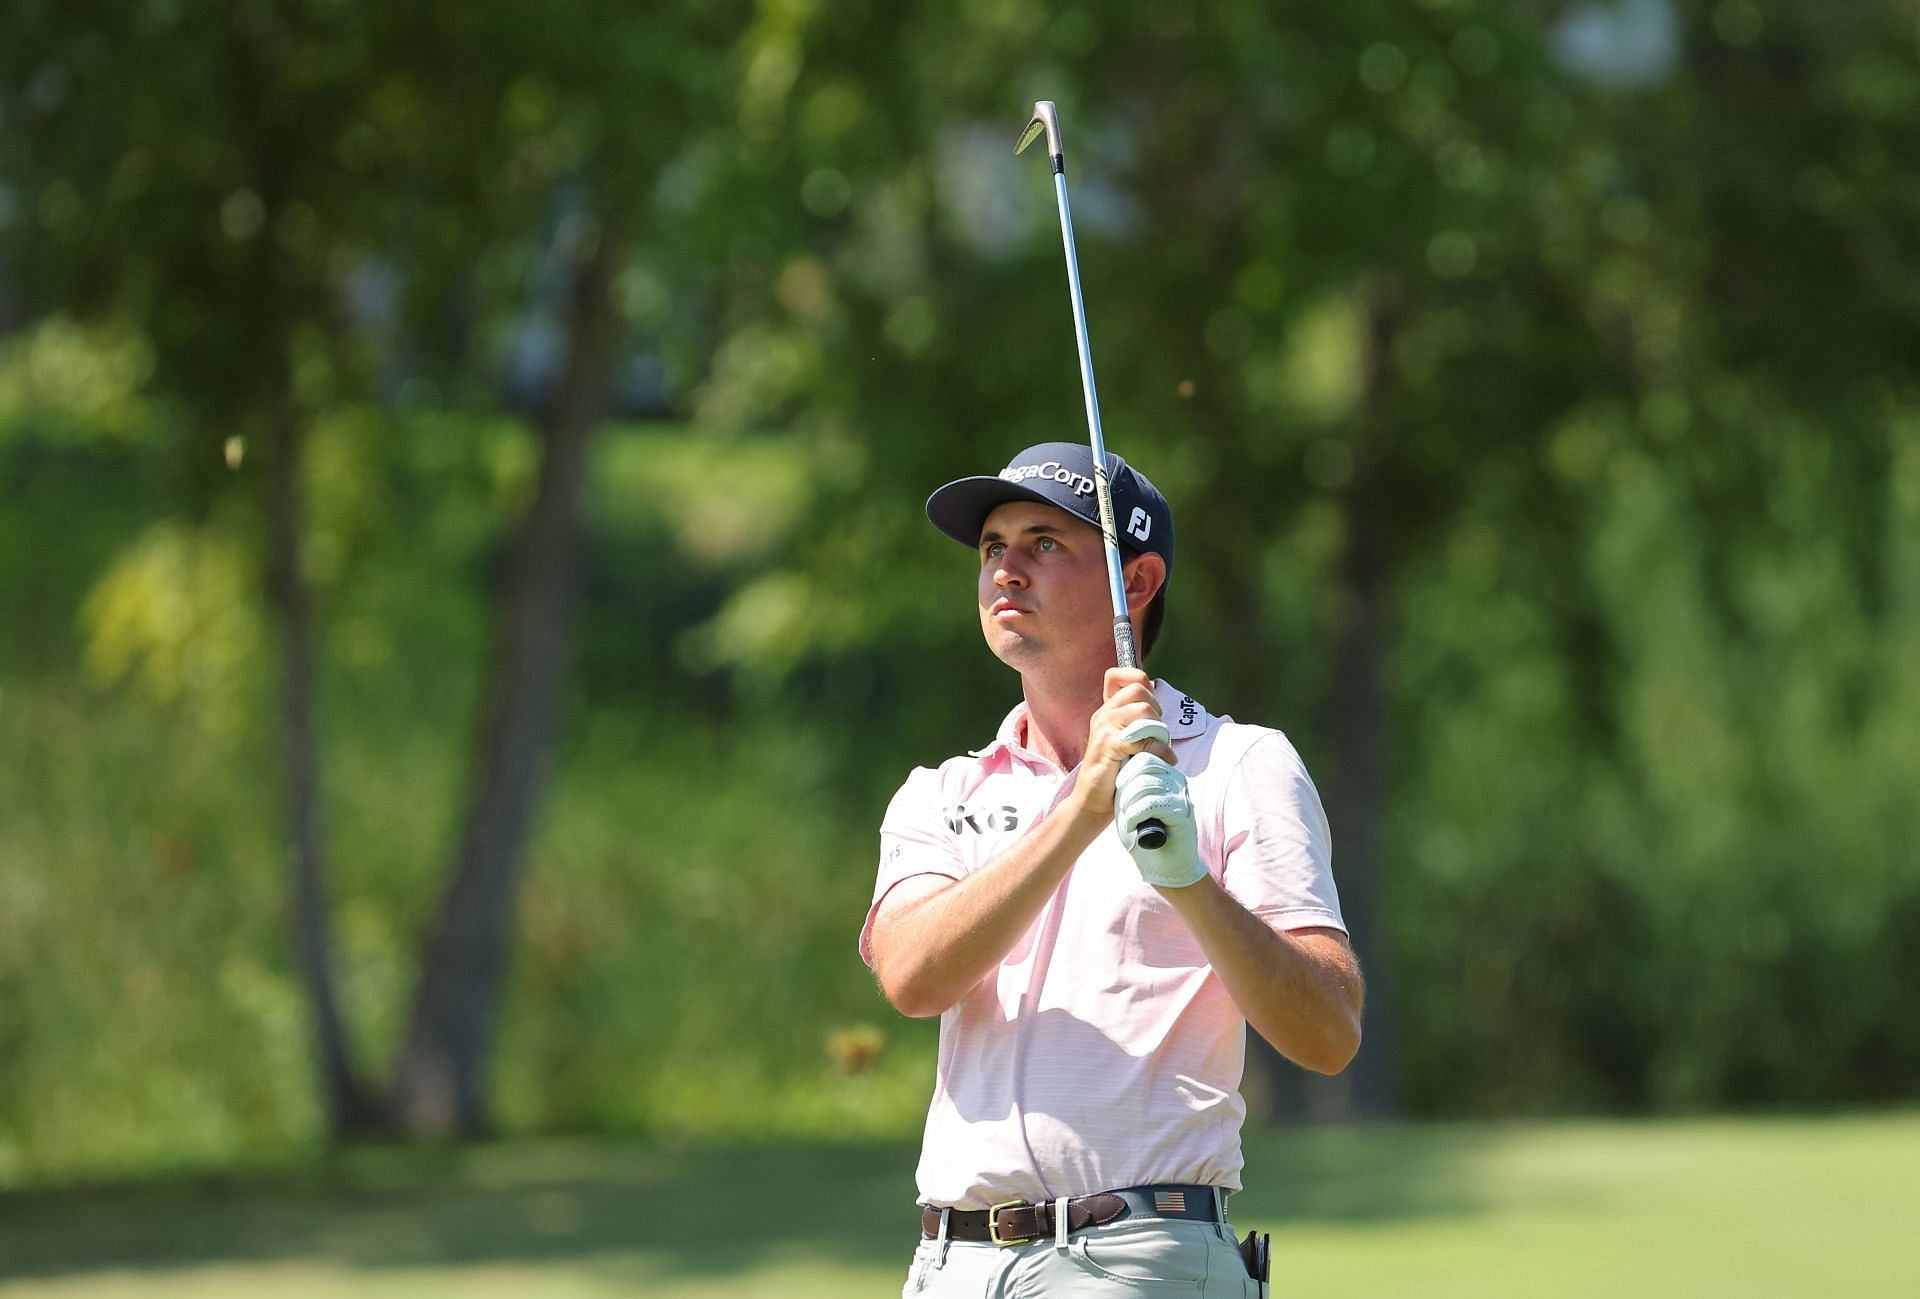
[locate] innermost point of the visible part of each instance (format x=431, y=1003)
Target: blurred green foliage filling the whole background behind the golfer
x=1608, y=371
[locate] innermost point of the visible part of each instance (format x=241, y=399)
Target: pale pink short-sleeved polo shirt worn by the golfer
x=1105, y=1051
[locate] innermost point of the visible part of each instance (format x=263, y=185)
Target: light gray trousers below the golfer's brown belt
x=1130, y=1258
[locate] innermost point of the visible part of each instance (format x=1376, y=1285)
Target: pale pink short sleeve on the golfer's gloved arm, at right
x=1278, y=855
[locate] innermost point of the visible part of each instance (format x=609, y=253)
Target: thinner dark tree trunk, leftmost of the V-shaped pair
x=343, y=1097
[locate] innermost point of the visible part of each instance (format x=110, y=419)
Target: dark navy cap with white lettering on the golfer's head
x=1061, y=473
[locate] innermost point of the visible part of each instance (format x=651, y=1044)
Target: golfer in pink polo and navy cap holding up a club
x=1086, y=1122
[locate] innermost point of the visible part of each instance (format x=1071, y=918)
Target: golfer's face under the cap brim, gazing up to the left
x=1044, y=586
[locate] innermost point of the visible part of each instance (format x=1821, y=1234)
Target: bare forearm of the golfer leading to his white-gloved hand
x=1303, y=993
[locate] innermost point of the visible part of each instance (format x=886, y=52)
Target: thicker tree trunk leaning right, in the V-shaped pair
x=439, y=1085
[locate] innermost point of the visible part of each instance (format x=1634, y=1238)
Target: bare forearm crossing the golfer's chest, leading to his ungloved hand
x=932, y=951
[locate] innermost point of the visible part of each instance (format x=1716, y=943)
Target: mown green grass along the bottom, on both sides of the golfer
x=1750, y=1208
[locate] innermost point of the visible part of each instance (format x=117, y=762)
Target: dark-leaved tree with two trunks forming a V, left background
x=212, y=177
